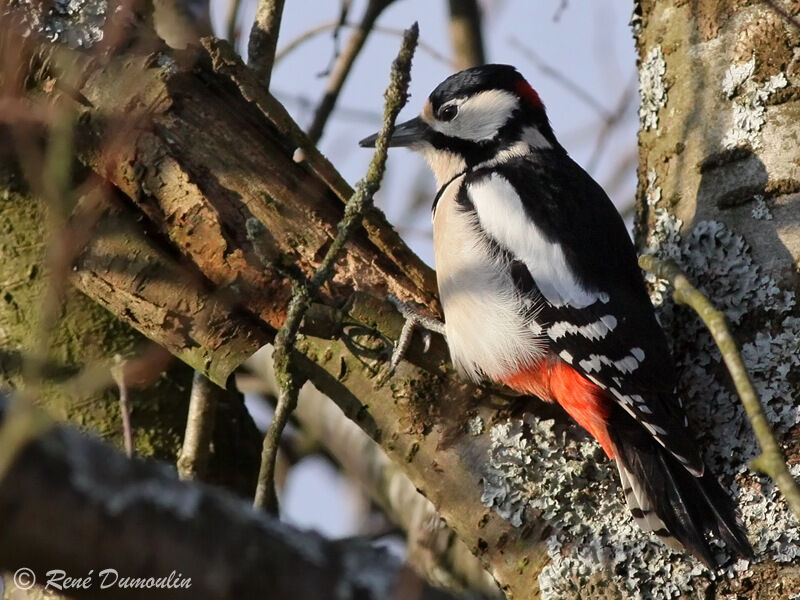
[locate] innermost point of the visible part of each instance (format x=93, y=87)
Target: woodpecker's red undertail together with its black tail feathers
x=679, y=507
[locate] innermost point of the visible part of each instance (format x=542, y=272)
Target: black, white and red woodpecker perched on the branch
x=541, y=291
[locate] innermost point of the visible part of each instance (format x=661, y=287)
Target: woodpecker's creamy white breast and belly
x=487, y=331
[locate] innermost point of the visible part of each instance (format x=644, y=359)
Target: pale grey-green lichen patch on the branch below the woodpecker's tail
x=534, y=472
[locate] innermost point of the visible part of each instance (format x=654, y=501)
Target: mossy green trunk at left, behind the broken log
x=87, y=335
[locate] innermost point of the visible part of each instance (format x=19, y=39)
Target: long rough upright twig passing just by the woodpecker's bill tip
x=396, y=95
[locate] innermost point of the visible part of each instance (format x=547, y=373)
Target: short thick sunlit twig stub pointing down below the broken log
x=196, y=449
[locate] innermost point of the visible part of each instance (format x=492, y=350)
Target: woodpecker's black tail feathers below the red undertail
x=688, y=506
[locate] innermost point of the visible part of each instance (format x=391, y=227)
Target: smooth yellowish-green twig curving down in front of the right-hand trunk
x=771, y=461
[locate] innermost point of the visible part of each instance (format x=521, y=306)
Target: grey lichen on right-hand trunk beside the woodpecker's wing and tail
x=719, y=262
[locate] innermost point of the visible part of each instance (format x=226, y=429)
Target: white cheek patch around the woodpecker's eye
x=479, y=117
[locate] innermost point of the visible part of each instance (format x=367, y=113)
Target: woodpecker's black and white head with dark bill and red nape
x=483, y=114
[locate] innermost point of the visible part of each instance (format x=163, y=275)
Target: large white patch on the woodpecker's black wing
x=503, y=217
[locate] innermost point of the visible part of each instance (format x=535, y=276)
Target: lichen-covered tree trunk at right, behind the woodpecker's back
x=718, y=192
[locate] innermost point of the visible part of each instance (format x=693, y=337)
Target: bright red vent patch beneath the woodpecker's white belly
x=556, y=381
